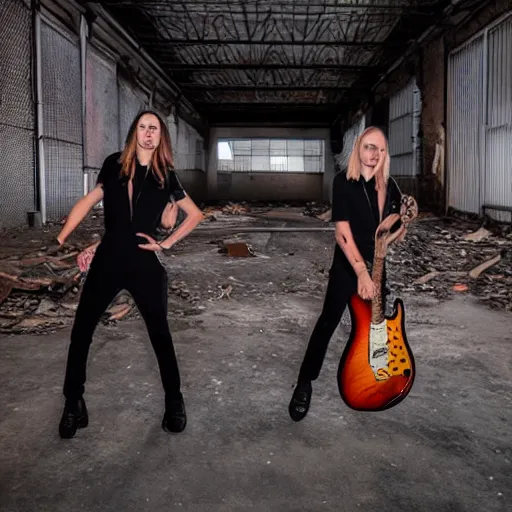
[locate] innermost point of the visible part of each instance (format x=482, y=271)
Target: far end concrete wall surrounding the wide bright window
x=269, y=186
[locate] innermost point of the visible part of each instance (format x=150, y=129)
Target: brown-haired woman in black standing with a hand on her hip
x=138, y=188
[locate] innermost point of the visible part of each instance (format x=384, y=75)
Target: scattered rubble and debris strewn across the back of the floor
x=40, y=284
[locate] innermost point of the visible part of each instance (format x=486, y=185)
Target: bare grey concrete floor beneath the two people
x=447, y=447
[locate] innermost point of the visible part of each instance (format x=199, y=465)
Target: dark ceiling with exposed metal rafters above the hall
x=248, y=56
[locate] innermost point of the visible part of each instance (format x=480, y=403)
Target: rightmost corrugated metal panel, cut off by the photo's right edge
x=498, y=136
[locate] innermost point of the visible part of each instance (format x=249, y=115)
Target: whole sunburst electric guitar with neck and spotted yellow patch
x=376, y=370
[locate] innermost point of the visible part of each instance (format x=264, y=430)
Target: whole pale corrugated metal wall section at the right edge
x=480, y=122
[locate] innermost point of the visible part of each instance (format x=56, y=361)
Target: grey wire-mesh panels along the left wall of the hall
x=112, y=100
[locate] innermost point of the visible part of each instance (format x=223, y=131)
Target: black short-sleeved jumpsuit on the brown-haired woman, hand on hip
x=120, y=264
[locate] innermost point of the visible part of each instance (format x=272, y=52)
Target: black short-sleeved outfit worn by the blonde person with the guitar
x=355, y=202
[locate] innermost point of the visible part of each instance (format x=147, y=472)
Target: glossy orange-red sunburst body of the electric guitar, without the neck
x=362, y=387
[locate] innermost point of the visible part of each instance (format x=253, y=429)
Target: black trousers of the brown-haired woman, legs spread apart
x=114, y=268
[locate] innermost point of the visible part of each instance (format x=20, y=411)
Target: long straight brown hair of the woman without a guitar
x=162, y=160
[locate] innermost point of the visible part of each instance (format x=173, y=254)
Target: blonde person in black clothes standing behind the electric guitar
x=362, y=197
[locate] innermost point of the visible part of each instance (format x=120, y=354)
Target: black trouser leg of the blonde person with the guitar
x=341, y=286
